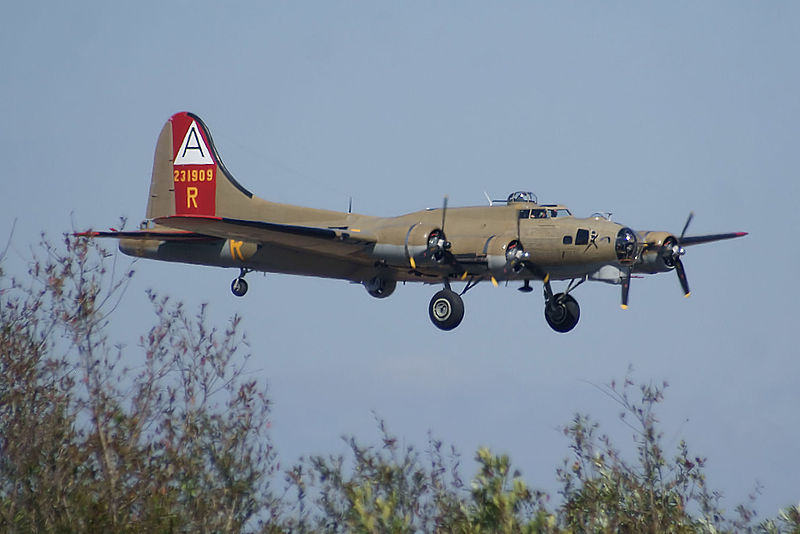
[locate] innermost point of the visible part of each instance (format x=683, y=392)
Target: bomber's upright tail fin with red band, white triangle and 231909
x=189, y=177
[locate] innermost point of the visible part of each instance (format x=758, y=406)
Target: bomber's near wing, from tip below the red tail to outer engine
x=333, y=241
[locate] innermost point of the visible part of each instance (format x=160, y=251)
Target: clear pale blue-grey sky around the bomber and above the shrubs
x=646, y=110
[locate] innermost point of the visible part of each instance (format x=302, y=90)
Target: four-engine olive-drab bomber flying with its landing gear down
x=197, y=213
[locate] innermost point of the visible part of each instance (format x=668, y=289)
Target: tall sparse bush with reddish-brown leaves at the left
x=86, y=445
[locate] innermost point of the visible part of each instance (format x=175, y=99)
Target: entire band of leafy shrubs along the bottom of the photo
x=177, y=440
